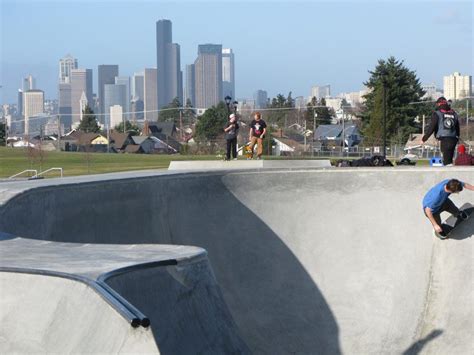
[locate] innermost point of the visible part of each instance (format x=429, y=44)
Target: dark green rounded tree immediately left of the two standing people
x=211, y=124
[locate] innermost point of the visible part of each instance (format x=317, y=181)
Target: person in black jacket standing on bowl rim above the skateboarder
x=445, y=125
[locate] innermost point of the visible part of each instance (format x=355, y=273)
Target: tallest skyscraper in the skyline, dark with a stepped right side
x=168, y=65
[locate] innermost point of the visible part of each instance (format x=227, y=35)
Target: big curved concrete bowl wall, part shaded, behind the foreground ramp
x=317, y=261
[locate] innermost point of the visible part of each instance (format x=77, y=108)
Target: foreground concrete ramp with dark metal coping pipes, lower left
x=84, y=298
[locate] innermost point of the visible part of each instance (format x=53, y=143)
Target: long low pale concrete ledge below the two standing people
x=247, y=164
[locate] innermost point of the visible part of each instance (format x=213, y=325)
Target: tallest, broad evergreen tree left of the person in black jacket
x=402, y=89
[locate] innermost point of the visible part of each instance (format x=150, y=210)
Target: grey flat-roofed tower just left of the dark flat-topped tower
x=81, y=82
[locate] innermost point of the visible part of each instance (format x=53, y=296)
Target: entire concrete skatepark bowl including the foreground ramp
x=265, y=261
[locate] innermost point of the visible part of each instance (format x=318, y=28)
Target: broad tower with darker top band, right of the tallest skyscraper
x=208, y=75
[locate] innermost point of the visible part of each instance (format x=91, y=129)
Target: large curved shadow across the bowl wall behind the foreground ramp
x=275, y=303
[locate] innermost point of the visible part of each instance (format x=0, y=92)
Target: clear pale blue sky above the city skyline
x=279, y=46
